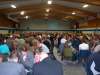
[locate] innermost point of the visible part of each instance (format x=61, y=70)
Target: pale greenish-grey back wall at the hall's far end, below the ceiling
x=45, y=25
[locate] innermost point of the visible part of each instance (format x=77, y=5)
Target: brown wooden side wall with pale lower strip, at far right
x=89, y=25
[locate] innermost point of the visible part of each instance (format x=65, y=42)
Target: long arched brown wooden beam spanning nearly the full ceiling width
x=41, y=6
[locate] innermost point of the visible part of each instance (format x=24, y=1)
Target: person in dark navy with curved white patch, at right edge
x=93, y=64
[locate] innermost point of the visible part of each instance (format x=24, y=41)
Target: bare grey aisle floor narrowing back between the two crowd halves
x=69, y=67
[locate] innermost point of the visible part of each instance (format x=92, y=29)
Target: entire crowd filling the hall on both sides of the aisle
x=32, y=54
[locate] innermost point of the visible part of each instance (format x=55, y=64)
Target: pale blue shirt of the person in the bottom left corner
x=11, y=68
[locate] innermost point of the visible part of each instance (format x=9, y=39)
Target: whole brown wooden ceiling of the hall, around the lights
x=59, y=9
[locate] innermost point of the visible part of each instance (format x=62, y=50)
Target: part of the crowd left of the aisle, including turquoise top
x=30, y=55
